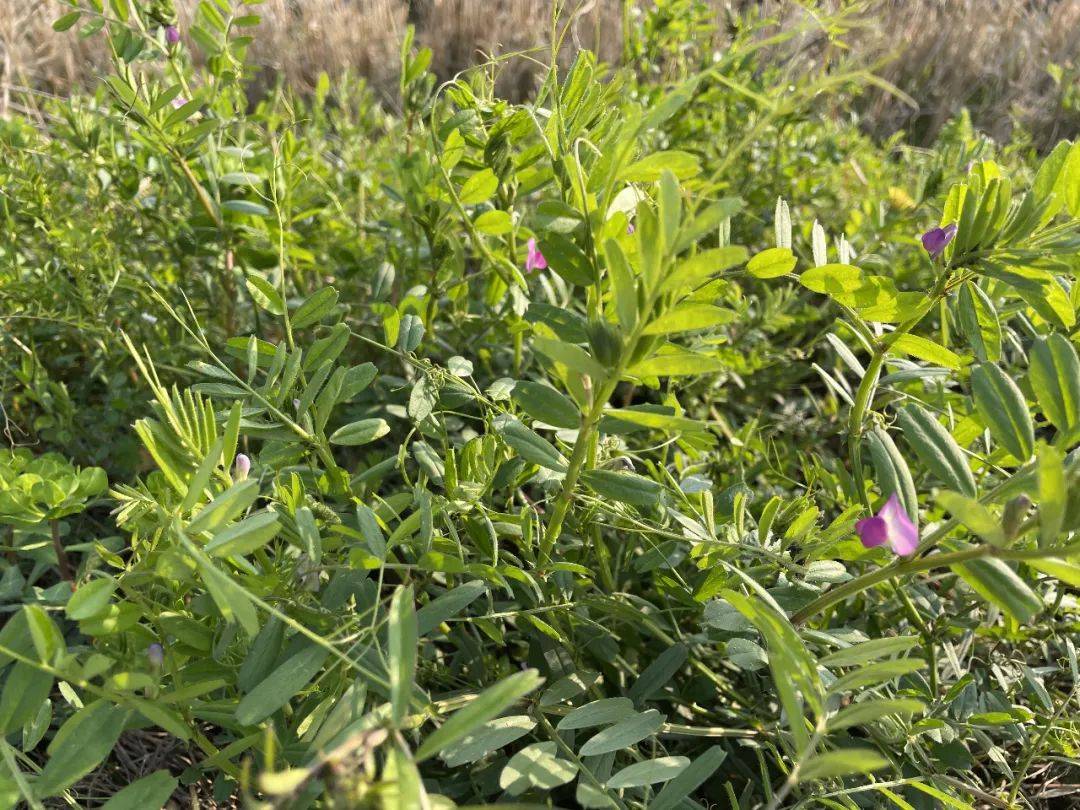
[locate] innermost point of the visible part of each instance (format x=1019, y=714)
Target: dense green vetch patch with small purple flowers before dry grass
x=538, y=455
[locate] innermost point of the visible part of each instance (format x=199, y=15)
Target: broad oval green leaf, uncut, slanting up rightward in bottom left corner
x=80, y=746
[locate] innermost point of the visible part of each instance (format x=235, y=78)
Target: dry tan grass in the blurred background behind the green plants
x=989, y=55
